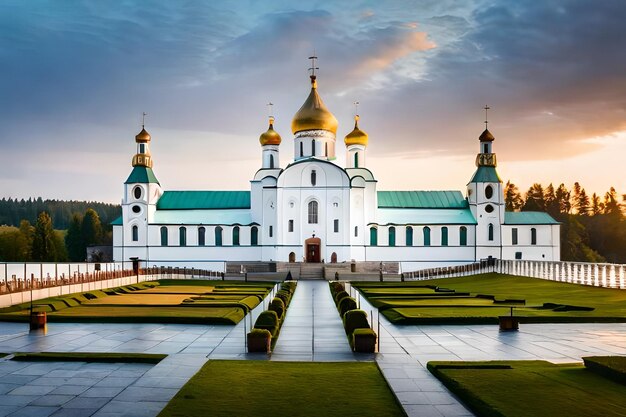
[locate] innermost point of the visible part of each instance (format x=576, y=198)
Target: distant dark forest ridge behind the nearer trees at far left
x=13, y=211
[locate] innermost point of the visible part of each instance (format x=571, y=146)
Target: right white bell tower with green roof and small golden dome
x=486, y=199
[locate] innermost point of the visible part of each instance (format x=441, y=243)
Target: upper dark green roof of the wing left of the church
x=196, y=200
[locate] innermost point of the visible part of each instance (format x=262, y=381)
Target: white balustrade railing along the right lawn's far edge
x=592, y=274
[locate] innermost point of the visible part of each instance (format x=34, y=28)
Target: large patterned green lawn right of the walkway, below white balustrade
x=482, y=298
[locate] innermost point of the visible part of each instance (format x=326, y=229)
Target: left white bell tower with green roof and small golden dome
x=141, y=193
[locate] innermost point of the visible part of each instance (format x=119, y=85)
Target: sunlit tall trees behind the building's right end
x=593, y=227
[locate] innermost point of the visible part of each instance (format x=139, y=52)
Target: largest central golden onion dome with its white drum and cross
x=314, y=126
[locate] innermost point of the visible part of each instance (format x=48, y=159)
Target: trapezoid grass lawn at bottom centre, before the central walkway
x=275, y=389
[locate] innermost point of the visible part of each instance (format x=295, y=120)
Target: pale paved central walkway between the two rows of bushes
x=313, y=330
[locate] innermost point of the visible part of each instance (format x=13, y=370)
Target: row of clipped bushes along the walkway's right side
x=361, y=337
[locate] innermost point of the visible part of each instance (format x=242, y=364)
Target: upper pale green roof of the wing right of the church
x=421, y=199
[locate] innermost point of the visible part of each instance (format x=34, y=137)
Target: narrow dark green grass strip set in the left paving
x=104, y=357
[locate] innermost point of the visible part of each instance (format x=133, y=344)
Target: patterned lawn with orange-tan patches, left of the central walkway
x=165, y=301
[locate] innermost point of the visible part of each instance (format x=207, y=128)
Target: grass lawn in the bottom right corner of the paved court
x=531, y=388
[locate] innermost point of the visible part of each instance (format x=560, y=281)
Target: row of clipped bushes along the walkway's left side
x=263, y=336
